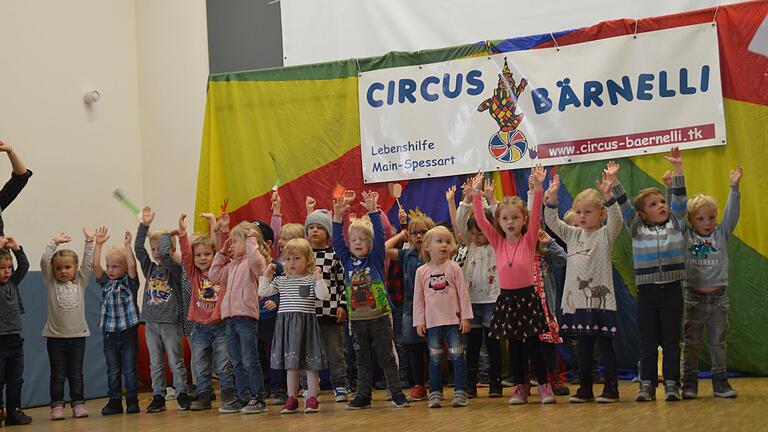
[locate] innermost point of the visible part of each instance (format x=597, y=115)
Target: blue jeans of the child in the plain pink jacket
x=243, y=339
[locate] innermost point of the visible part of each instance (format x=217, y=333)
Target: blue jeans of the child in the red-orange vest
x=208, y=344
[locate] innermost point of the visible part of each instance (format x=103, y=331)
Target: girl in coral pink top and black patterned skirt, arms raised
x=518, y=316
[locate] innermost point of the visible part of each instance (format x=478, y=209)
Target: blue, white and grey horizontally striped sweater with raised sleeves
x=658, y=251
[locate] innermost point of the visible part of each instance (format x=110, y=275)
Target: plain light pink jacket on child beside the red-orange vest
x=240, y=276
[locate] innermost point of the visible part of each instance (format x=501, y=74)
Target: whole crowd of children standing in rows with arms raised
x=297, y=300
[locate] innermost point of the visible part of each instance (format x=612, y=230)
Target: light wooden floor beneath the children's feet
x=748, y=412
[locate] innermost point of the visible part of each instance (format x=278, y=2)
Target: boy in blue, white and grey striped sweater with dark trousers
x=658, y=251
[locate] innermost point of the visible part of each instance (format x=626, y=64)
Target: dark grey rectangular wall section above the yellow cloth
x=243, y=35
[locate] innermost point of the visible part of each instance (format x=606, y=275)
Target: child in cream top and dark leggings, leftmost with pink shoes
x=66, y=328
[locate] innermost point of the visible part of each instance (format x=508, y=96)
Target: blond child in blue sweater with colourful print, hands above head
x=370, y=312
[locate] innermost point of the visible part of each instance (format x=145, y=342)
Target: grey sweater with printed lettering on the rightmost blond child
x=706, y=257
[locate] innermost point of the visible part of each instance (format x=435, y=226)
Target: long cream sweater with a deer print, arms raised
x=588, y=275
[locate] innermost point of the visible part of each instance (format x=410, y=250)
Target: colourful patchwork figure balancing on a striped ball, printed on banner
x=509, y=143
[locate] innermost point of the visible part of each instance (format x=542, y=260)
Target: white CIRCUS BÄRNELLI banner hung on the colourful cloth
x=605, y=99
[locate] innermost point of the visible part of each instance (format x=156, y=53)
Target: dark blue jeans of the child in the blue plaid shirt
x=120, y=349
